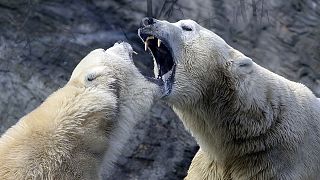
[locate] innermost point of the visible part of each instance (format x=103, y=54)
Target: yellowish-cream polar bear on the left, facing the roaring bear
x=69, y=134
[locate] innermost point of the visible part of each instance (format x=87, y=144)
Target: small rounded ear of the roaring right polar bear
x=243, y=64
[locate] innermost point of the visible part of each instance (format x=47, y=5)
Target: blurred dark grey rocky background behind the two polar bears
x=42, y=41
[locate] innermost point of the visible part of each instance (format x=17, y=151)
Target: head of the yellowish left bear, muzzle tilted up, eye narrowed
x=108, y=78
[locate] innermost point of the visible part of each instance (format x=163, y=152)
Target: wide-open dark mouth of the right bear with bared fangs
x=162, y=54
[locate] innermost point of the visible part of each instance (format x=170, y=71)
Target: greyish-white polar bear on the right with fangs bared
x=250, y=123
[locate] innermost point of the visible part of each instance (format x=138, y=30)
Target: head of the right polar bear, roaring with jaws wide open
x=192, y=61
